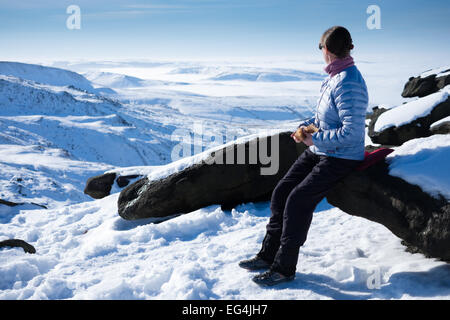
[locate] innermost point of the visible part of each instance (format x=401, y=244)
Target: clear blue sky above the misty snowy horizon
x=110, y=29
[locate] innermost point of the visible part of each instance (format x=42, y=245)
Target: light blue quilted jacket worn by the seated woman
x=340, y=116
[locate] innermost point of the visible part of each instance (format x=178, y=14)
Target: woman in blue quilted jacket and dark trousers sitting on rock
x=334, y=151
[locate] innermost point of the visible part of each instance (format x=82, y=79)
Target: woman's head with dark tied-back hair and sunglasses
x=336, y=42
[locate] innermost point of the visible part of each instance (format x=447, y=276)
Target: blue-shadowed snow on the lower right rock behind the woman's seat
x=424, y=162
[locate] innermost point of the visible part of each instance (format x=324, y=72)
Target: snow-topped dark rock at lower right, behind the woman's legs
x=405, y=194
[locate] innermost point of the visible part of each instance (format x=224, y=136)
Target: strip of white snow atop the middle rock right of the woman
x=410, y=111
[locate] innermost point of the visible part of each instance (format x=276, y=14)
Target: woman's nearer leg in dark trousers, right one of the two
x=300, y=205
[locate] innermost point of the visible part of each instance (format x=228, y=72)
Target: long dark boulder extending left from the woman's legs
x=205, y=184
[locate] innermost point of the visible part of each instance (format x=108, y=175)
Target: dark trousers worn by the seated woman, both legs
x=292, y=205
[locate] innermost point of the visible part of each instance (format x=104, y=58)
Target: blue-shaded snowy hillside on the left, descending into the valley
x=87, y=126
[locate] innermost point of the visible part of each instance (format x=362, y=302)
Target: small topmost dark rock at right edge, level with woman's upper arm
x=420, y=87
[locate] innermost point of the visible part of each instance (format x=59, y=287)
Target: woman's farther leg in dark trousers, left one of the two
x=296, y=173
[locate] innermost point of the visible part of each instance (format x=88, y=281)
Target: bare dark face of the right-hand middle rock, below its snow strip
x=415, y=129
